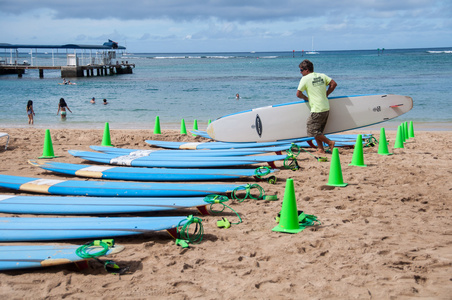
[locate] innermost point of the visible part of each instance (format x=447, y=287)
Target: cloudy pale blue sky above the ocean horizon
x=181, y=26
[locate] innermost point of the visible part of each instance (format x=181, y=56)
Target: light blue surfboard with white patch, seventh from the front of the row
x=159, y=154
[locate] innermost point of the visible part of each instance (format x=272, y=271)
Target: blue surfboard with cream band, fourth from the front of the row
x=111, y=189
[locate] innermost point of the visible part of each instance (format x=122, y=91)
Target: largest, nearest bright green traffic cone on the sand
x=288, y=221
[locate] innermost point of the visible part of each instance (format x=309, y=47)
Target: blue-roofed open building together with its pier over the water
x=72, y=59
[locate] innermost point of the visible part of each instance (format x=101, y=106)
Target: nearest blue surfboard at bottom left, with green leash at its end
x=37, y=256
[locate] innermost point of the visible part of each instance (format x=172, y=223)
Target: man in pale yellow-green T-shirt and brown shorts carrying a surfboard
x=317, y=95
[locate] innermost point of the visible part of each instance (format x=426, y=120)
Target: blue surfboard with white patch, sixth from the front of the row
x=175, y=162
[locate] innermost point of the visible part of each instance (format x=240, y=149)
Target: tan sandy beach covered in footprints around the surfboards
x=387, y=235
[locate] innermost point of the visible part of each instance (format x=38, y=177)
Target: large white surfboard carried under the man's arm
x=288, y=120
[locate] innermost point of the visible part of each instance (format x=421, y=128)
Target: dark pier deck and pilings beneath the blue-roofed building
x=72, y=71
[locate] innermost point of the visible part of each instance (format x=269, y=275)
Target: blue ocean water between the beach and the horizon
x=203, y=86
